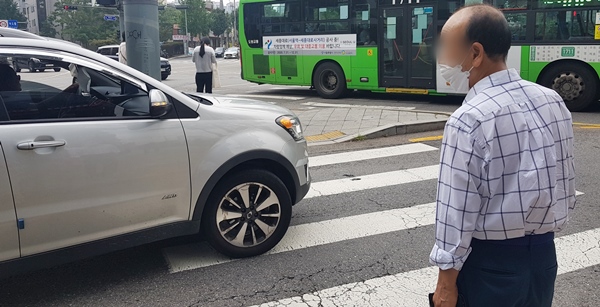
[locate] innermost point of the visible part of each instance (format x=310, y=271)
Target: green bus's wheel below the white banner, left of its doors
x=329, y=81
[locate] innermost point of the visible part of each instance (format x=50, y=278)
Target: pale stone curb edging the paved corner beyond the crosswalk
x=389, y=130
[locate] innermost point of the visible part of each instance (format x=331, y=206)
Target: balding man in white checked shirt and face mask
x=506, y=180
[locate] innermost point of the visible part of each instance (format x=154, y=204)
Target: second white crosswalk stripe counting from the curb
x=379, y=180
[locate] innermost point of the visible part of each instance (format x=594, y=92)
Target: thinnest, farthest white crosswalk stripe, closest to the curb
x=368, y=154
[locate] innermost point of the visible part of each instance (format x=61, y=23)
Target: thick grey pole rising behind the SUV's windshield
x=141, y=32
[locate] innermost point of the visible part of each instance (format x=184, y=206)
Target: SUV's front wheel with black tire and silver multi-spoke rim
x=267, y=195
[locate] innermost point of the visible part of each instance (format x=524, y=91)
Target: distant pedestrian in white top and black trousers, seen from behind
x=204, y=57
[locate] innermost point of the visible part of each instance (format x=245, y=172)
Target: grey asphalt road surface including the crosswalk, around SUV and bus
x=344, y=237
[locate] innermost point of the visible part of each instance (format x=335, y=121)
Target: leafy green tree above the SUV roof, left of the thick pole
x=83, y=25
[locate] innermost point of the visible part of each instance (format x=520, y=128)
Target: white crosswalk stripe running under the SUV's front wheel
x=198, y=255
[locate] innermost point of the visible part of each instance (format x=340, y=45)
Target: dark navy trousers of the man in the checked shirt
x=510, y=273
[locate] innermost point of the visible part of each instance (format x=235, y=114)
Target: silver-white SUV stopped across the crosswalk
x=119, y=159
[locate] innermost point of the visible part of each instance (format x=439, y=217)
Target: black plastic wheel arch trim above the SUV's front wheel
x=263, y=159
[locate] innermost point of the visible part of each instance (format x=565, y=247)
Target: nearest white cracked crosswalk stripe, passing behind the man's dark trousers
x=574, y=252
